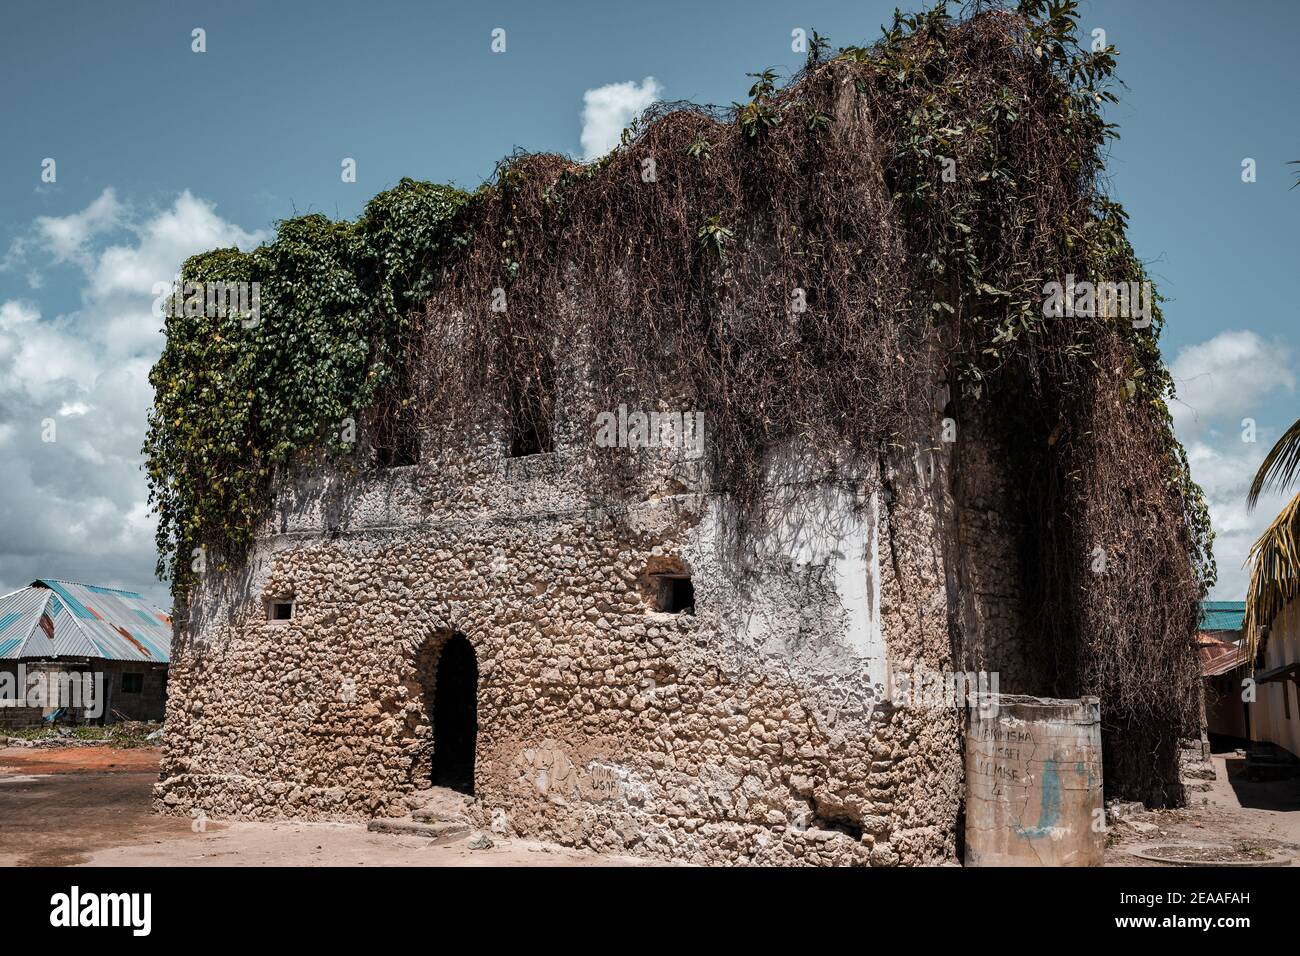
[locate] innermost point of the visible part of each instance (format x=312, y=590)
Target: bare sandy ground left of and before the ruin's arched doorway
x=90, y=806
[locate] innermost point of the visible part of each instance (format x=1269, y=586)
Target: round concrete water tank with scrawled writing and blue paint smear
x=1034, y=782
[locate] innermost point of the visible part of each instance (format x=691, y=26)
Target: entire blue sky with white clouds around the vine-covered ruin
x=162, y=152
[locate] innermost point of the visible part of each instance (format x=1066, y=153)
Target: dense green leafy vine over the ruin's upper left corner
x=235, y=400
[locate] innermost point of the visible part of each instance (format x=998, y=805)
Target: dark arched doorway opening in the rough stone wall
x=456, y=716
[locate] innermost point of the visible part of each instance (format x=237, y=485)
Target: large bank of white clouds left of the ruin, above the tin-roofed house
x=75, y=393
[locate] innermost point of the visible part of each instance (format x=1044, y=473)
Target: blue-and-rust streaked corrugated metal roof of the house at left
x=68, y=620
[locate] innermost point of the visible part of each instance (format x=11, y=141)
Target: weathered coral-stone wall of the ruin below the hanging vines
x=764, y=724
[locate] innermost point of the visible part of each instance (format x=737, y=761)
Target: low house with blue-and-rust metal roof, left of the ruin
x=81, y=654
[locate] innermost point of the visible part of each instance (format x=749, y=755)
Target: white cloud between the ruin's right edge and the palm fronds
x=1223, y=383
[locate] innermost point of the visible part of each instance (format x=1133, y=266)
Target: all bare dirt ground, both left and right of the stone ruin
x=90, y=807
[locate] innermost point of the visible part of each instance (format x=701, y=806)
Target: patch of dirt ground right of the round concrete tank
x=1234, y=812
